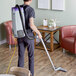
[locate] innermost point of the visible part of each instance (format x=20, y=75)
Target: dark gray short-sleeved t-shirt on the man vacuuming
x=29, y=13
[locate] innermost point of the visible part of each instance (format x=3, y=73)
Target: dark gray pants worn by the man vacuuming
x=22, y=43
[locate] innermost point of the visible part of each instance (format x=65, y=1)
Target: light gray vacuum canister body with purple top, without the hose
x=16, y=22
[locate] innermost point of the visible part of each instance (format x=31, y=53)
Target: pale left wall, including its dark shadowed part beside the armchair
x=5, y=15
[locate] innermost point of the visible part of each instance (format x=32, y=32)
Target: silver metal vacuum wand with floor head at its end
x=55, y=69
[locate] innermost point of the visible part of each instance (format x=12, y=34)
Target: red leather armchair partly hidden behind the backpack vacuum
x=9, y=34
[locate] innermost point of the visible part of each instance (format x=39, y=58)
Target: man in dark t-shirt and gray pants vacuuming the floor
x=23, y=42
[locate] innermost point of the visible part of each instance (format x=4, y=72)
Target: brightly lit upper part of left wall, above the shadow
x=5, y=9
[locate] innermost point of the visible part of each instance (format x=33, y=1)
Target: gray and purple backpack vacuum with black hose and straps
x=19, y=22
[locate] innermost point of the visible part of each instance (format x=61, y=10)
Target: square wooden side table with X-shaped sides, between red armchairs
x=50, y=31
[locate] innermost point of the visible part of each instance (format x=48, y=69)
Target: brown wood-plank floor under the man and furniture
x=42, y=64
